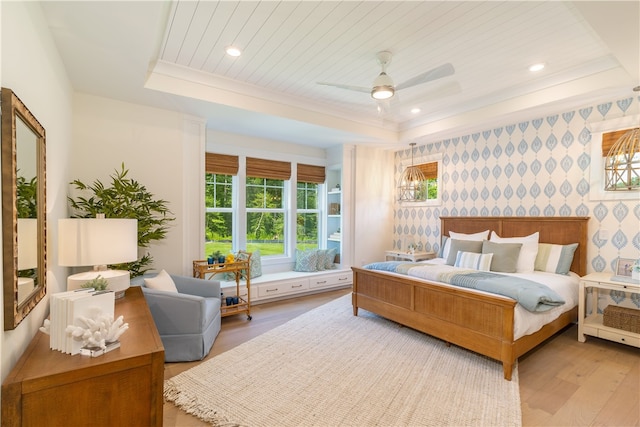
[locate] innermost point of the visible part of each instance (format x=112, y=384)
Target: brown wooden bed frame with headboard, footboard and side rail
x=478, y=322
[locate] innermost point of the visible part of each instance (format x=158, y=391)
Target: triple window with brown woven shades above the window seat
x=252, y=207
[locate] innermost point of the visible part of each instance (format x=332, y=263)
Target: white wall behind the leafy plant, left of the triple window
x=163, y=150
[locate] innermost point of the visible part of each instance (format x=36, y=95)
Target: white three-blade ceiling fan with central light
x=383, y=87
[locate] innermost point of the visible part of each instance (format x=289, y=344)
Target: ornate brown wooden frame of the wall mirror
x=12, y=109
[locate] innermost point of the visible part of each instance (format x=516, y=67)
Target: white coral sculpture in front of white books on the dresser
x=97, y=331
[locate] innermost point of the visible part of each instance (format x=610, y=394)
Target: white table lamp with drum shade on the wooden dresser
x=98, y=242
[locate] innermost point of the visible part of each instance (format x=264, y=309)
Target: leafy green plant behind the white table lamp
x=126, y=198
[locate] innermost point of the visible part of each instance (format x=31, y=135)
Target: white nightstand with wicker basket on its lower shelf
x=592, y=325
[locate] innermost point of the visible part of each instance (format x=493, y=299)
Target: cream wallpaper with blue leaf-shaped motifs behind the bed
x=539, y=167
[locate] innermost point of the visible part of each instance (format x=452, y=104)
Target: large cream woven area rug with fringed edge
x=328, y=367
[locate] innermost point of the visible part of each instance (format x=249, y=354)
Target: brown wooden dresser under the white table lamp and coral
x=120, y=388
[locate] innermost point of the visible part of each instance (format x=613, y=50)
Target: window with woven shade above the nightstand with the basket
x=621, y=151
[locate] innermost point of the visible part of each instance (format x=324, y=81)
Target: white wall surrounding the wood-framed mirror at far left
x=32, y=68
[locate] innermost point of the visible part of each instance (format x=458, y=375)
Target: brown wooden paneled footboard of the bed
x=477, y=322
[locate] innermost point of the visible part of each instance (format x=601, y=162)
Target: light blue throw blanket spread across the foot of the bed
x=533, y=296
